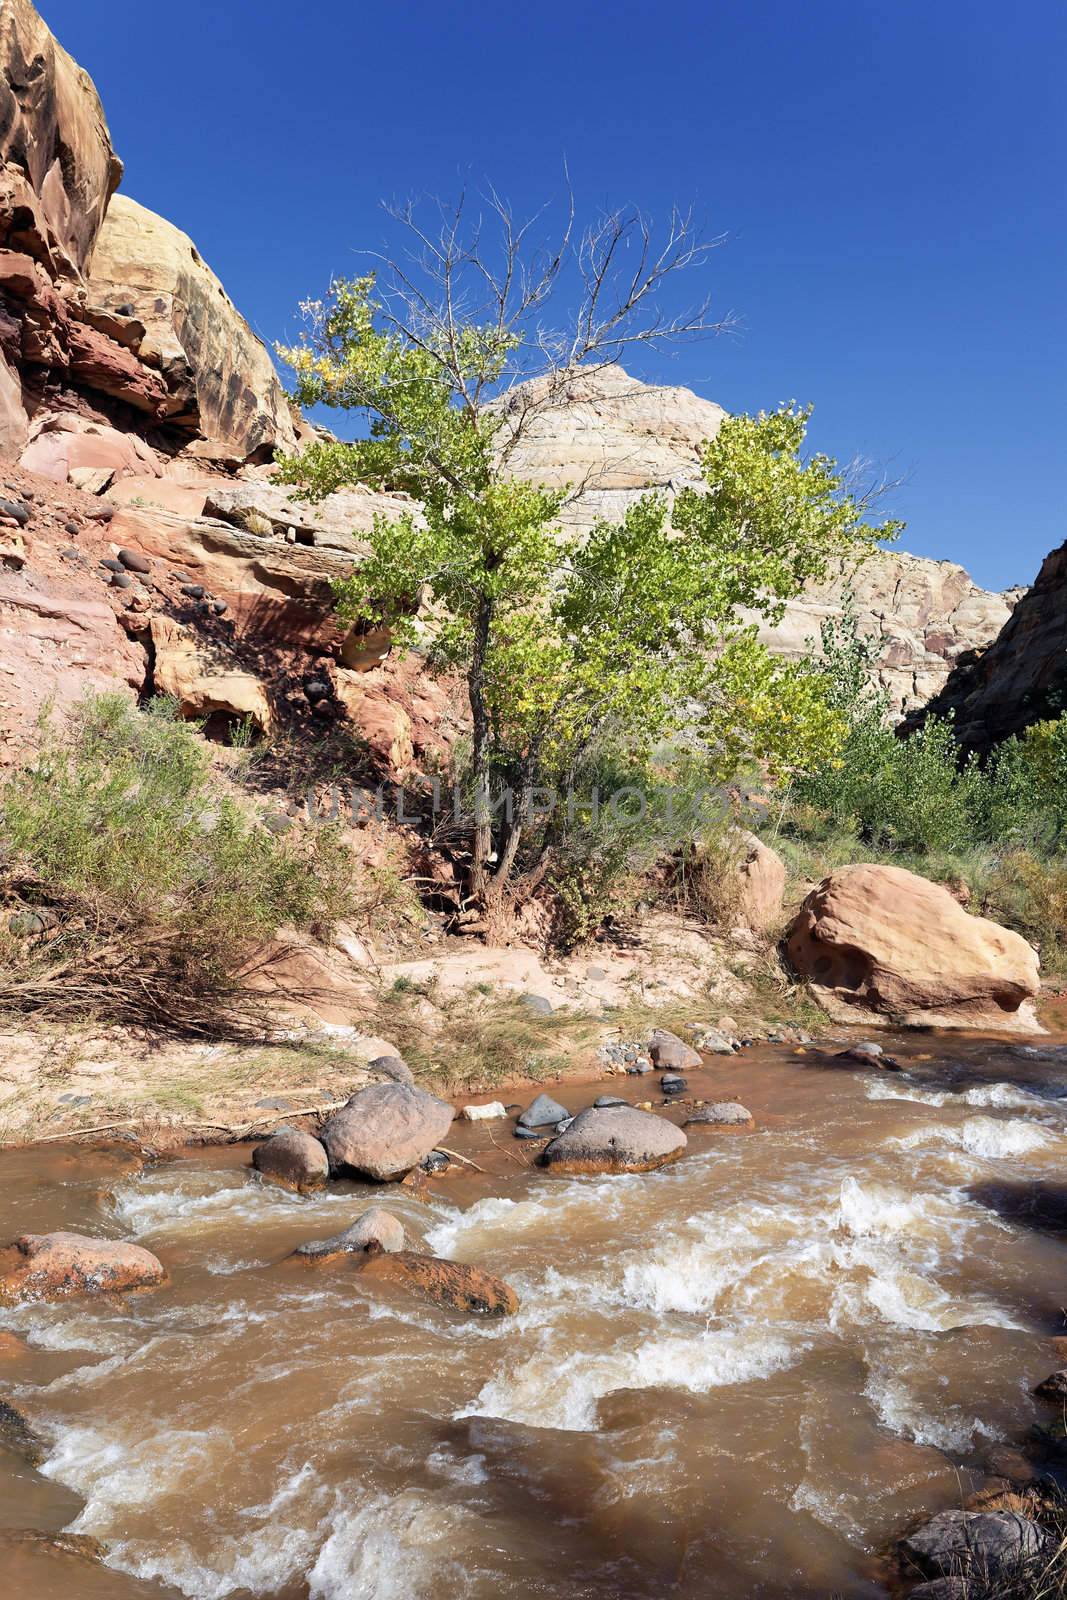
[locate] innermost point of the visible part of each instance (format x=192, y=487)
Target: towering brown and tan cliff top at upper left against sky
x=106, y=313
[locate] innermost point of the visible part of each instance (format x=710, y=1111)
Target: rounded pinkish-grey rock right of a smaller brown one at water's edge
x=386, y=1130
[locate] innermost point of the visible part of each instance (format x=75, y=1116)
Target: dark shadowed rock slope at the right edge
x=1023, y=678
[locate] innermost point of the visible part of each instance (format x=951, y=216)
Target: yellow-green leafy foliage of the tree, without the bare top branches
x=626, y=634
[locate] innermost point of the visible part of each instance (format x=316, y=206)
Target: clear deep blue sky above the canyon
x=890, y=178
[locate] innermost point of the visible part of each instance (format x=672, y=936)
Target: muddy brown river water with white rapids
x=737, y=1377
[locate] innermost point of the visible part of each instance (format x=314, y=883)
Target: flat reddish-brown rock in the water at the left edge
x=58, y=1266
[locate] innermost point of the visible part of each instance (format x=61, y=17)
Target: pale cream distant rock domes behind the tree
x=613, y=439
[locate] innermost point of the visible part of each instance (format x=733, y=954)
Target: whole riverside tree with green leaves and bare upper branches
x=633, y=631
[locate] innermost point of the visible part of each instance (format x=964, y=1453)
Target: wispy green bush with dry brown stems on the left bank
x=146, y=890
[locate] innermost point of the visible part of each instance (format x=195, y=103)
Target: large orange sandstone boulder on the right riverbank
x=881, y=943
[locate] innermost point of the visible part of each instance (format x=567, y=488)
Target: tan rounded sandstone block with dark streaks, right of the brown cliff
x=222, y=377
